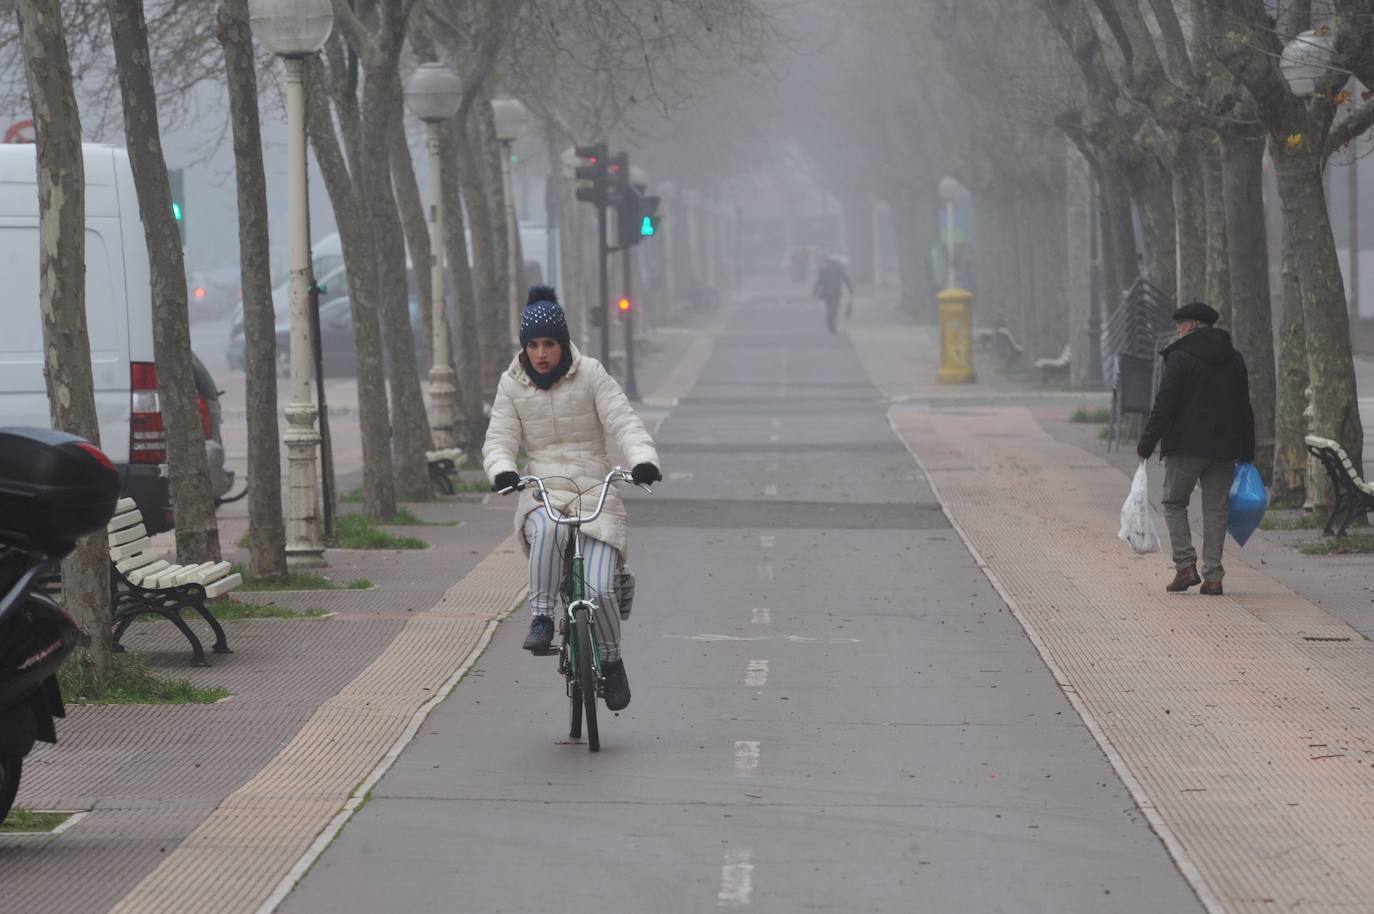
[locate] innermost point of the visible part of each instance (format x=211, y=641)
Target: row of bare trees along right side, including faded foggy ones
x=1166, y=118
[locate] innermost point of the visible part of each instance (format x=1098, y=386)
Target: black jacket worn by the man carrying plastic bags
x=1204, y=402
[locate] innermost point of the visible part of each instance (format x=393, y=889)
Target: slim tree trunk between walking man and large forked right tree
x=1289, y=487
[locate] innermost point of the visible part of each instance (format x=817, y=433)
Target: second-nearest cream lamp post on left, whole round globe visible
x=433, y=96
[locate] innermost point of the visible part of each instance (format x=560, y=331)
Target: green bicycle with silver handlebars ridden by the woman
x=579, y=656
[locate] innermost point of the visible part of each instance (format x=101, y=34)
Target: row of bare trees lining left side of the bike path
x=583, y=67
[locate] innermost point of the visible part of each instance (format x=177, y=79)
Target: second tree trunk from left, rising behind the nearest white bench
x=197, y=533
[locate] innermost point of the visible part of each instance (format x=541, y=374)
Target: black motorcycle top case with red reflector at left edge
x=54, y=487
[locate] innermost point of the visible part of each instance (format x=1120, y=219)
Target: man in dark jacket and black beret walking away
x=1203, y=423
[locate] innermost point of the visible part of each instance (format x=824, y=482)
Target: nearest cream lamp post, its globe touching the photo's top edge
x=295, y=31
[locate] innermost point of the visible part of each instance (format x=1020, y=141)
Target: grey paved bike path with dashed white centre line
x=833, y=709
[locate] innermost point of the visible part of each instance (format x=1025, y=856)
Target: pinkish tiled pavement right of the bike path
x=1243, y=725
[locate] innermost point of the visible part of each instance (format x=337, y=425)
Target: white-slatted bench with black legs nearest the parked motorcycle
x=145, y=583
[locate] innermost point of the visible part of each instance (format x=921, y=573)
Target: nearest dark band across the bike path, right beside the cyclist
x=756, y=515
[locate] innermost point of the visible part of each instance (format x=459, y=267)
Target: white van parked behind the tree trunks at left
x=119, y=320
